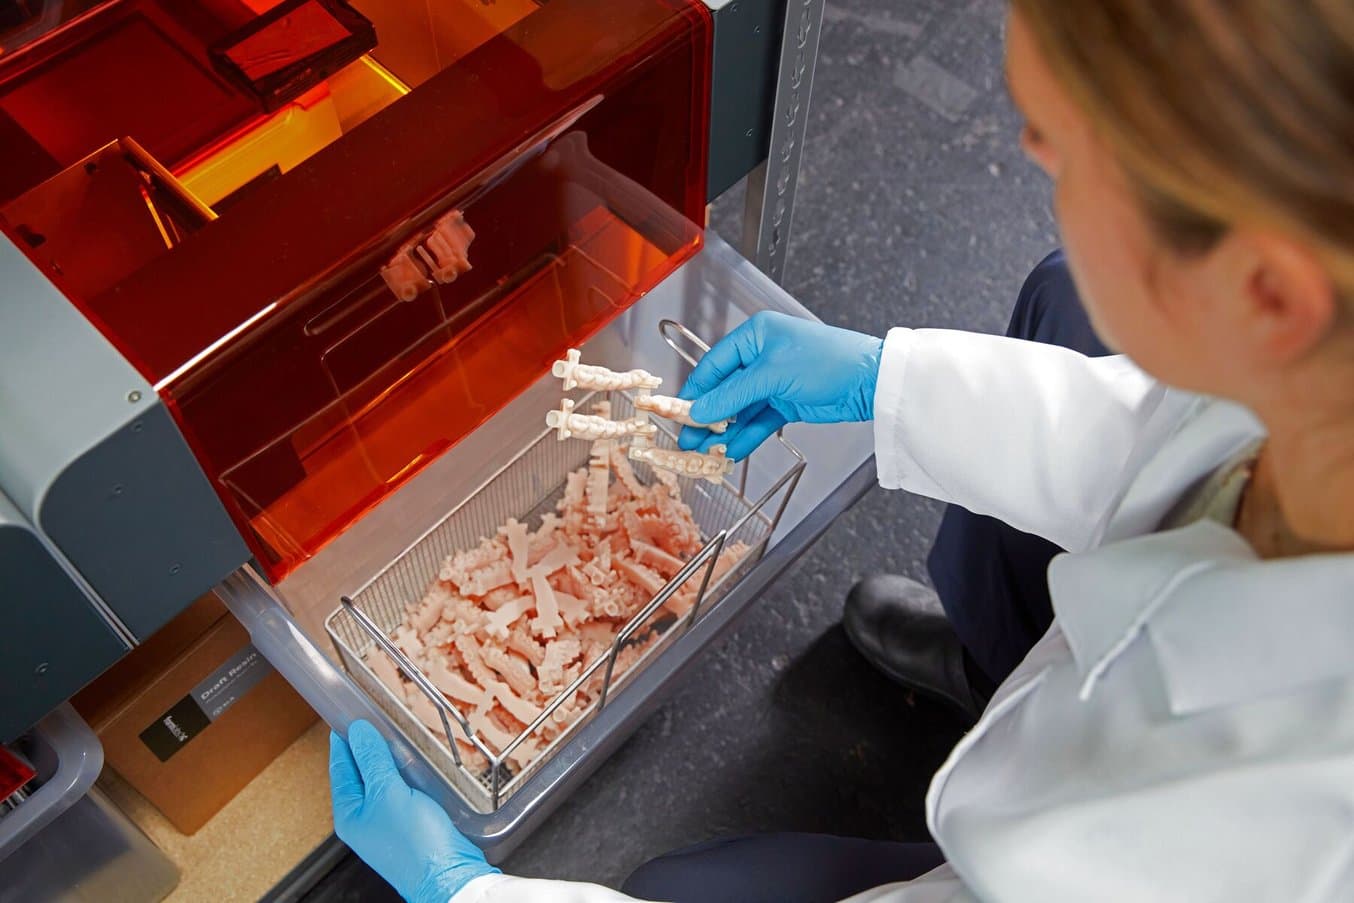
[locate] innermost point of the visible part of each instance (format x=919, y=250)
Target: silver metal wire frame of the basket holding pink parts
x=675, y=335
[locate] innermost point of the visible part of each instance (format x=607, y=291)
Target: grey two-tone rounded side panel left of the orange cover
x=93, y=460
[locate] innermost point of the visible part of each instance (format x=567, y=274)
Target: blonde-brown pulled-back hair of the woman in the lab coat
x=1222, y=112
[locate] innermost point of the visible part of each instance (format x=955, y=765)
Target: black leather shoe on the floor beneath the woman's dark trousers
x=901, y=629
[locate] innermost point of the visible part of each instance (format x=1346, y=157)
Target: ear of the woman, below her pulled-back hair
x=1288, y=301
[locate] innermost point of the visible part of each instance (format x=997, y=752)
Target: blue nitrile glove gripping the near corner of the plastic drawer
x=397, y=831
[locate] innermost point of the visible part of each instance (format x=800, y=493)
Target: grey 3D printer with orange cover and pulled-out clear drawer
x=281, y=285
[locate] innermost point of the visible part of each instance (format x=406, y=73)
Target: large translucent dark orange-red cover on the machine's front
x=575, y=143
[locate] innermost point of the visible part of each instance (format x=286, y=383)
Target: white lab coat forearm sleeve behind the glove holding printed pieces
x=1039, y=437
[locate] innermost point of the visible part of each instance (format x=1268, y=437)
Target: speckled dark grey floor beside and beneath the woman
x=916, y=209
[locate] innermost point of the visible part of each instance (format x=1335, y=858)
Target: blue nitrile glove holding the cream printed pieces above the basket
x=777, y=370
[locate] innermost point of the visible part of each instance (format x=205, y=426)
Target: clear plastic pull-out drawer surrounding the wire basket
x=713, y=293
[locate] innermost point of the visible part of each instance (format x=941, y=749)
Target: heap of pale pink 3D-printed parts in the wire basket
x=508, y=626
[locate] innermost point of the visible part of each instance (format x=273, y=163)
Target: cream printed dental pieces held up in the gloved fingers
x=713, y=466
